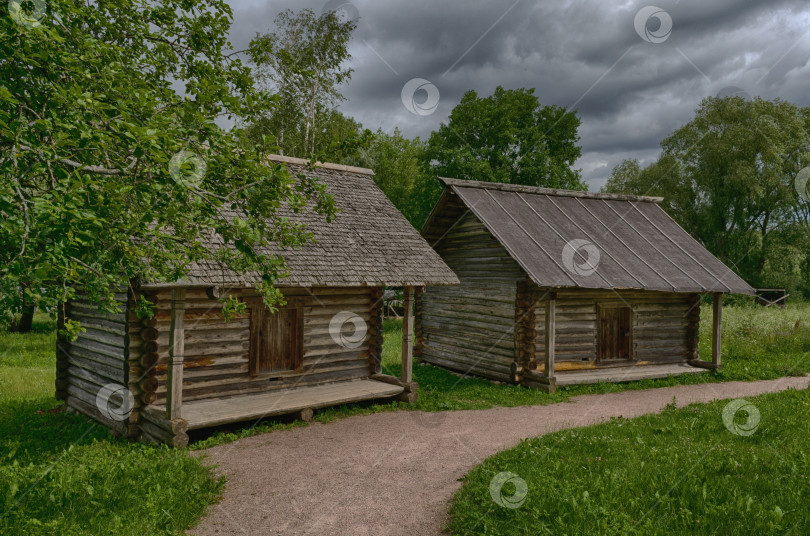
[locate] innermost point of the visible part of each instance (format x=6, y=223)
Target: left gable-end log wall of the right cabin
x=471, y=327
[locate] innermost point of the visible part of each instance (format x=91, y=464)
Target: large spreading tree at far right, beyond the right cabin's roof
x=728, y=177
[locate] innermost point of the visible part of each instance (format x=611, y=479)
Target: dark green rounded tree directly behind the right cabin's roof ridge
x=508, y=137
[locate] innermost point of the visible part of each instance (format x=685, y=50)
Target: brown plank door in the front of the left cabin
x=276, y=339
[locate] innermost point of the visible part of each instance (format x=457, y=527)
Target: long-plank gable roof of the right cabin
x=564, y=238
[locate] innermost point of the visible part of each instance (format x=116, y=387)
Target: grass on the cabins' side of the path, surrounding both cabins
x=62, y=474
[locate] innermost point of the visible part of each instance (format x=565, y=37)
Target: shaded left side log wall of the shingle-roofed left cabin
x=97, y=358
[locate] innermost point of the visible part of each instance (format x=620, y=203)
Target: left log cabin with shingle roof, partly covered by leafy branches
x=187, y=367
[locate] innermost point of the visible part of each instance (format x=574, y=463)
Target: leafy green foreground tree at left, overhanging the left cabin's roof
x=108, y=174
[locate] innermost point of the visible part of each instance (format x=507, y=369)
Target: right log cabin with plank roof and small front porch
x=561, y=287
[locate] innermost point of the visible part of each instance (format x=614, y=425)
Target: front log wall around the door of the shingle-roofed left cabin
x=216, y=352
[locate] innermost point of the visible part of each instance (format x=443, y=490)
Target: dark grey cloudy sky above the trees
x=631, y=79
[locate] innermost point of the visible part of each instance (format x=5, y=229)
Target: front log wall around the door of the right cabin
x=664, y=326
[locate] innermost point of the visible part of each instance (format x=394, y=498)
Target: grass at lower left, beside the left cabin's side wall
x=62, y=474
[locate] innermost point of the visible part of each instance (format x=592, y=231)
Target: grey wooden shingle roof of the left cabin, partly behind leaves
x=368, y=243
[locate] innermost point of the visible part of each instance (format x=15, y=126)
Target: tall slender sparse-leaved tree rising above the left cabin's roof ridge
x=303, y=62
